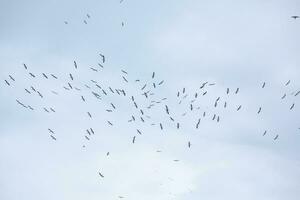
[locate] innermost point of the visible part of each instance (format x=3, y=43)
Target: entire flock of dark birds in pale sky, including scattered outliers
x=144, y=103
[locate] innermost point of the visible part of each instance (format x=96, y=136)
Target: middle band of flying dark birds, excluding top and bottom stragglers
x=146, y=92
